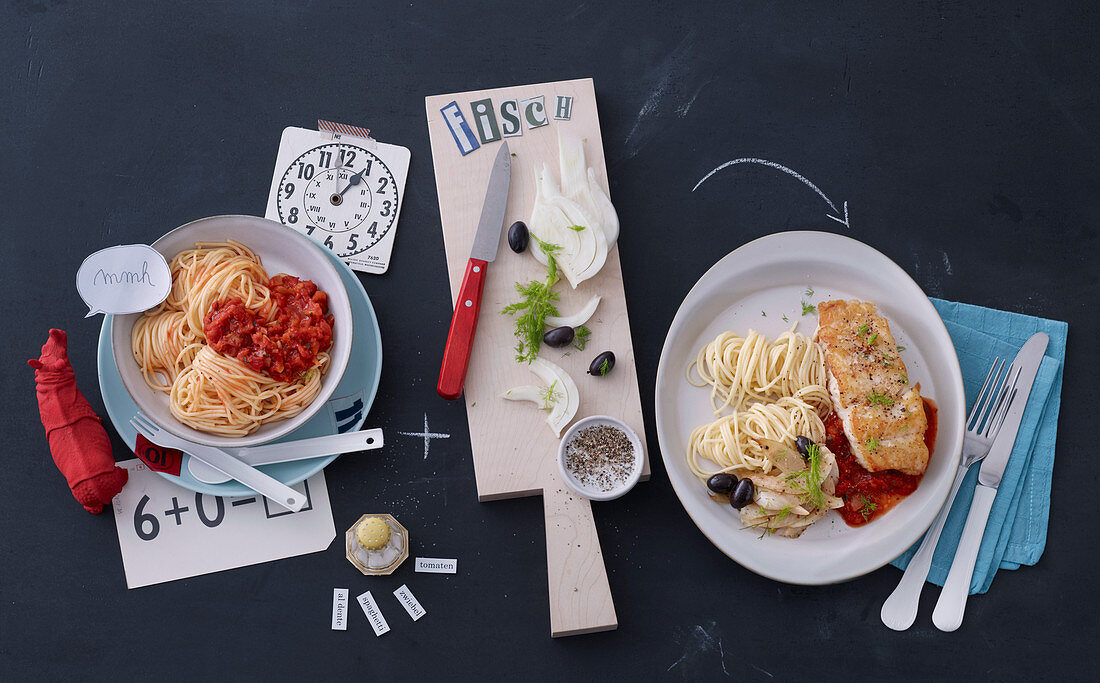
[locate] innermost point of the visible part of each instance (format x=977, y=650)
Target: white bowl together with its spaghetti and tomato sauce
x=263, y=388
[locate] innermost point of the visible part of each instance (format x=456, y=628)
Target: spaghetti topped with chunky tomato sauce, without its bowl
x=232, y=347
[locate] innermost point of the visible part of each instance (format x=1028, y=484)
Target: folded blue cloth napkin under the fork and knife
x=1016, y=534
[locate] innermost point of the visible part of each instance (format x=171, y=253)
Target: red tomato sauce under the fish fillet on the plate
x=867, y=495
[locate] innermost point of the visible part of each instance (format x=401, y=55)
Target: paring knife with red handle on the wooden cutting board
x=453, y=374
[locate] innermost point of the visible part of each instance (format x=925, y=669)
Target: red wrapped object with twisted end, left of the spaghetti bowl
x=78, y=439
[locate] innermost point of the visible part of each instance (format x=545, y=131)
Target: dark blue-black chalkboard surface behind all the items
x=964, y=139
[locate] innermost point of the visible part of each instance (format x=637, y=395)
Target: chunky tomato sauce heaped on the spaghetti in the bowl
x=284, y=347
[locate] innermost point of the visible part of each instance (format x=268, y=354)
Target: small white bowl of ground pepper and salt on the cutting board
x=601, y=458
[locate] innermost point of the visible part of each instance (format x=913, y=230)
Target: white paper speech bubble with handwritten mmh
x=124, y=280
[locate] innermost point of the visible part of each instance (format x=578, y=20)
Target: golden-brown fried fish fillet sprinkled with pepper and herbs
x=884, y=416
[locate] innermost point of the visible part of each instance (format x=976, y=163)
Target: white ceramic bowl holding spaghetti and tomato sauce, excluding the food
x=282, y=250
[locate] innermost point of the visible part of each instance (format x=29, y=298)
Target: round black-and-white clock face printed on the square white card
x=340, y=194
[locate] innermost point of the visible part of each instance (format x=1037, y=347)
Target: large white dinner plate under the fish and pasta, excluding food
x=756, y=287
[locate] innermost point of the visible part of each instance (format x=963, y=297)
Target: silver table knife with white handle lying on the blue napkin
x=948, y=616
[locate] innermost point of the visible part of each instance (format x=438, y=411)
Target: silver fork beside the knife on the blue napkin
x=985, y=421
